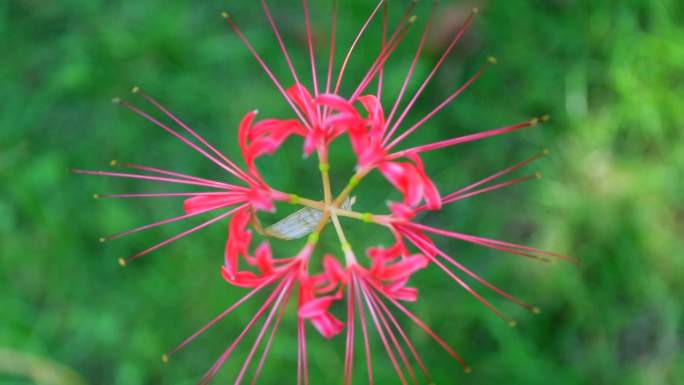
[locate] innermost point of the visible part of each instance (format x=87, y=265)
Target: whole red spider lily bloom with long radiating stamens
x=322, y=118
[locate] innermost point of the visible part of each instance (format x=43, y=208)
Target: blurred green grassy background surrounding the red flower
x=610, y=73
